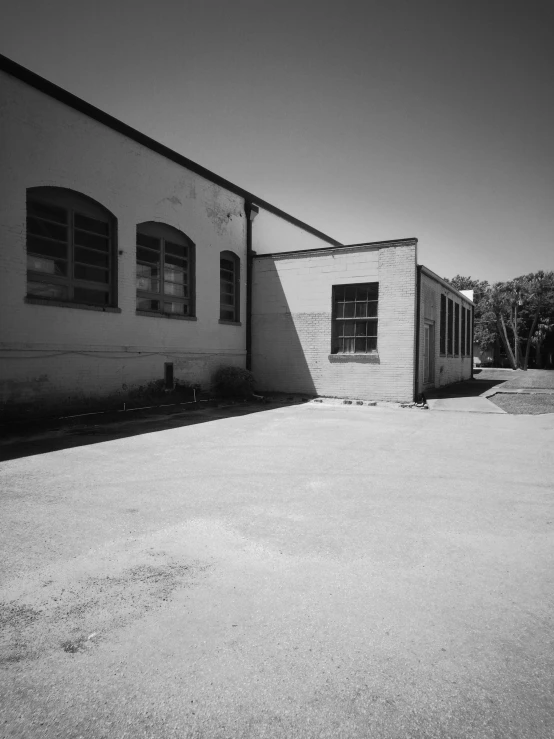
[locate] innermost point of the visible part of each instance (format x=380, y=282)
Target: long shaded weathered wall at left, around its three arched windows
x=52, y=355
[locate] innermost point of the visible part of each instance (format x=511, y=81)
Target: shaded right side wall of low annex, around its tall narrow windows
x=447, y=368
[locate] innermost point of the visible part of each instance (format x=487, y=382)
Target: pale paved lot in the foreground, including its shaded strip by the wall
x=309, y=571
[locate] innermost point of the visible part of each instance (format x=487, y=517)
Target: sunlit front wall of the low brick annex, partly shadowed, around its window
x=291, y=322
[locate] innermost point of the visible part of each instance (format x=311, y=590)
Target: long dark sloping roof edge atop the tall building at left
x=58, y=93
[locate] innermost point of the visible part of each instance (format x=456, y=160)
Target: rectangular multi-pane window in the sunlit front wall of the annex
x=355, y=318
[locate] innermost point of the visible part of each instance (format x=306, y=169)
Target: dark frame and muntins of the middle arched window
x=166, y=233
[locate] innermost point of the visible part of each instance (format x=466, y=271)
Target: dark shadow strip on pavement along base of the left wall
x=54, y=436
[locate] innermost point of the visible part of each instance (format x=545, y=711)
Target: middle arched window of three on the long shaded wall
x=165, y=270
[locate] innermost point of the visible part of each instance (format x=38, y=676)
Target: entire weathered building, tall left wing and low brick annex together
x=124, y=263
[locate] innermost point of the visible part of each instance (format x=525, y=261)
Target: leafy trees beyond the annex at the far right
x=518, y=314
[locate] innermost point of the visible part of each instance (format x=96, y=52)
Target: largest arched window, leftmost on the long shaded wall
x=70, y=248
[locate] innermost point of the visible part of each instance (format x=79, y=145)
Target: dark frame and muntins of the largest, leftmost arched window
x=74, y=204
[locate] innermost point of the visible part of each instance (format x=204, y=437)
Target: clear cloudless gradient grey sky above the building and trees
x=368, y=120
